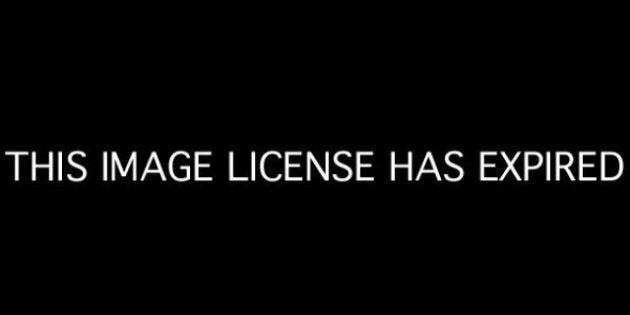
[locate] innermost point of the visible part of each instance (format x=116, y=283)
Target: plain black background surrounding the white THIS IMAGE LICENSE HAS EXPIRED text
x=512, y=80
